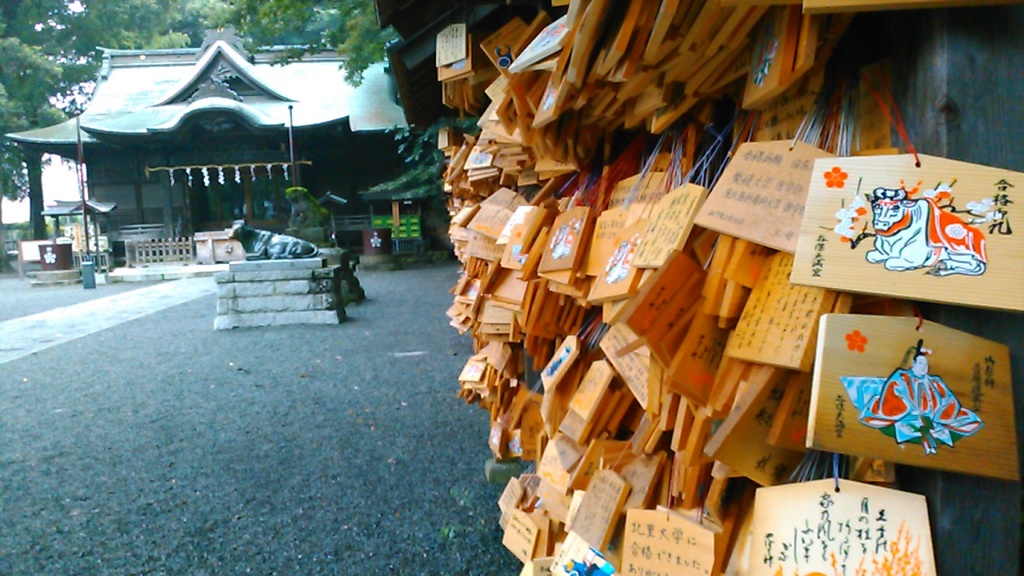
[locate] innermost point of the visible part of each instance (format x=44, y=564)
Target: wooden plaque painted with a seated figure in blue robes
x=935, y=398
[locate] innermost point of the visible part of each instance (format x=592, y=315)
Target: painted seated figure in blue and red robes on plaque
x=913, y=406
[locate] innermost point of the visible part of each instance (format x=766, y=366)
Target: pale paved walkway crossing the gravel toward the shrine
x=29, y=335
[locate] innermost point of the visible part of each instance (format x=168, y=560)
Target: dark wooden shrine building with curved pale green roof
x=192, y=140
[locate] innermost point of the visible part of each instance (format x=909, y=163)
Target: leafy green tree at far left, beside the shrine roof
x=51, y=52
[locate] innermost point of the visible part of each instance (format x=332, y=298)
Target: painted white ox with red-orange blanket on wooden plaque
x=912, y=234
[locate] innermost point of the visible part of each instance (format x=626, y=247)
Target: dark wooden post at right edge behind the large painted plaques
x=959, y=79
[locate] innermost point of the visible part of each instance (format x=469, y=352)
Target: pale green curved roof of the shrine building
x=143, y=93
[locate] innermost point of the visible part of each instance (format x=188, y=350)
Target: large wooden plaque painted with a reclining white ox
x=941, y=233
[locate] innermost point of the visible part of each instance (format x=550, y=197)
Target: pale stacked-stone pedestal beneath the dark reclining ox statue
x=277, y=293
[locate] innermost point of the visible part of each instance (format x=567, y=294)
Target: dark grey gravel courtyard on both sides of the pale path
x=163, y=447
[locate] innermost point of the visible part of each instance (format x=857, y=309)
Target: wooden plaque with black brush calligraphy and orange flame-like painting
x=813, y=528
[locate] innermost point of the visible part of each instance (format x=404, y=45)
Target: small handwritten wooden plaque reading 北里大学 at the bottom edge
x=664, y=542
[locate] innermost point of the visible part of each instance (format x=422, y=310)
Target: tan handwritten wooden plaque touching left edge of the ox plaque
x=761, y=194
